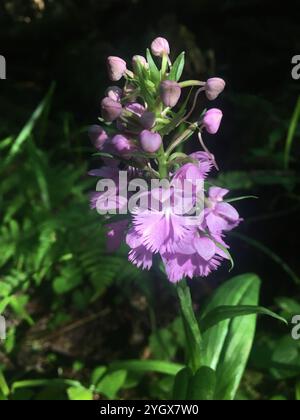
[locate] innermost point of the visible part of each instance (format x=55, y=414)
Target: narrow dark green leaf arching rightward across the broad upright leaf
x=229, y=312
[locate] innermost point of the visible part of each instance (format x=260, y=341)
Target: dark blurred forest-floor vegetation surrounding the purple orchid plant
x=72, y=309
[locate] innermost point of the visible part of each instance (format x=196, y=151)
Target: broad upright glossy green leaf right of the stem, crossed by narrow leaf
x=226, y=346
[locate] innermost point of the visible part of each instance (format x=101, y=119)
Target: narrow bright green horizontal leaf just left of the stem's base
x=144, y=366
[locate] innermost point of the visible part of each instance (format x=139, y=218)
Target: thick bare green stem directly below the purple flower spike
x=191, y=327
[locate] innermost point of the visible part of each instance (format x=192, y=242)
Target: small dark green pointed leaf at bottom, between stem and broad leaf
x=203, y=385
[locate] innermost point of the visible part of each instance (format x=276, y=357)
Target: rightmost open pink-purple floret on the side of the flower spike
x=219, y=215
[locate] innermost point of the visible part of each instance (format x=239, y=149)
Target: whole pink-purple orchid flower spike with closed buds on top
x=144, y=127
